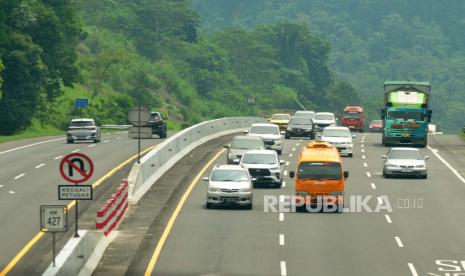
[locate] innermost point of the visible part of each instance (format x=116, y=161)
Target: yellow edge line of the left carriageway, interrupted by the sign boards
x=39, y=235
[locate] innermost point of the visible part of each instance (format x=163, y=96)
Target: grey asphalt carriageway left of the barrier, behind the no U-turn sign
x=30, y=175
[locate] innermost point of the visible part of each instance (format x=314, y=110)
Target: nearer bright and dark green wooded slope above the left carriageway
x=118, y=53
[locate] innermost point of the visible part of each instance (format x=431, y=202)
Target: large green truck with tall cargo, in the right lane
x=406, y=113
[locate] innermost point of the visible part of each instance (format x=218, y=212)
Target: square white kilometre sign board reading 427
x=53, y=218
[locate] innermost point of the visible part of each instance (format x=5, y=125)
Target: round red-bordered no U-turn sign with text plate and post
x=76, y=168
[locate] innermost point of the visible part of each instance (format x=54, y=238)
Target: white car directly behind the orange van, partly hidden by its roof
x=341, y=138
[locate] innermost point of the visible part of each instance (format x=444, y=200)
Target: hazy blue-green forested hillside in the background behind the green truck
x=372, y=41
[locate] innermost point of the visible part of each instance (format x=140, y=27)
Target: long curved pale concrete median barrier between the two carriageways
x=154, y=164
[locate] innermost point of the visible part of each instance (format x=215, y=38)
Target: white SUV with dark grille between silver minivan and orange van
x=264, y=166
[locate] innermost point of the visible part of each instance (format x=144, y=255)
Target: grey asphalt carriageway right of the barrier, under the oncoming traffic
x=422, y=235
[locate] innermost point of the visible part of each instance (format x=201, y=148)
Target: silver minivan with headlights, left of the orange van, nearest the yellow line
x=229, y=185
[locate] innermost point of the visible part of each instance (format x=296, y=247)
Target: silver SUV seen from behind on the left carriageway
x=82, y=129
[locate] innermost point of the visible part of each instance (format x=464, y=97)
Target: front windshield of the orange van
x=320, y=170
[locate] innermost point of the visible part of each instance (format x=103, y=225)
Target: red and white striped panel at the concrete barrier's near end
x=113, y=210
